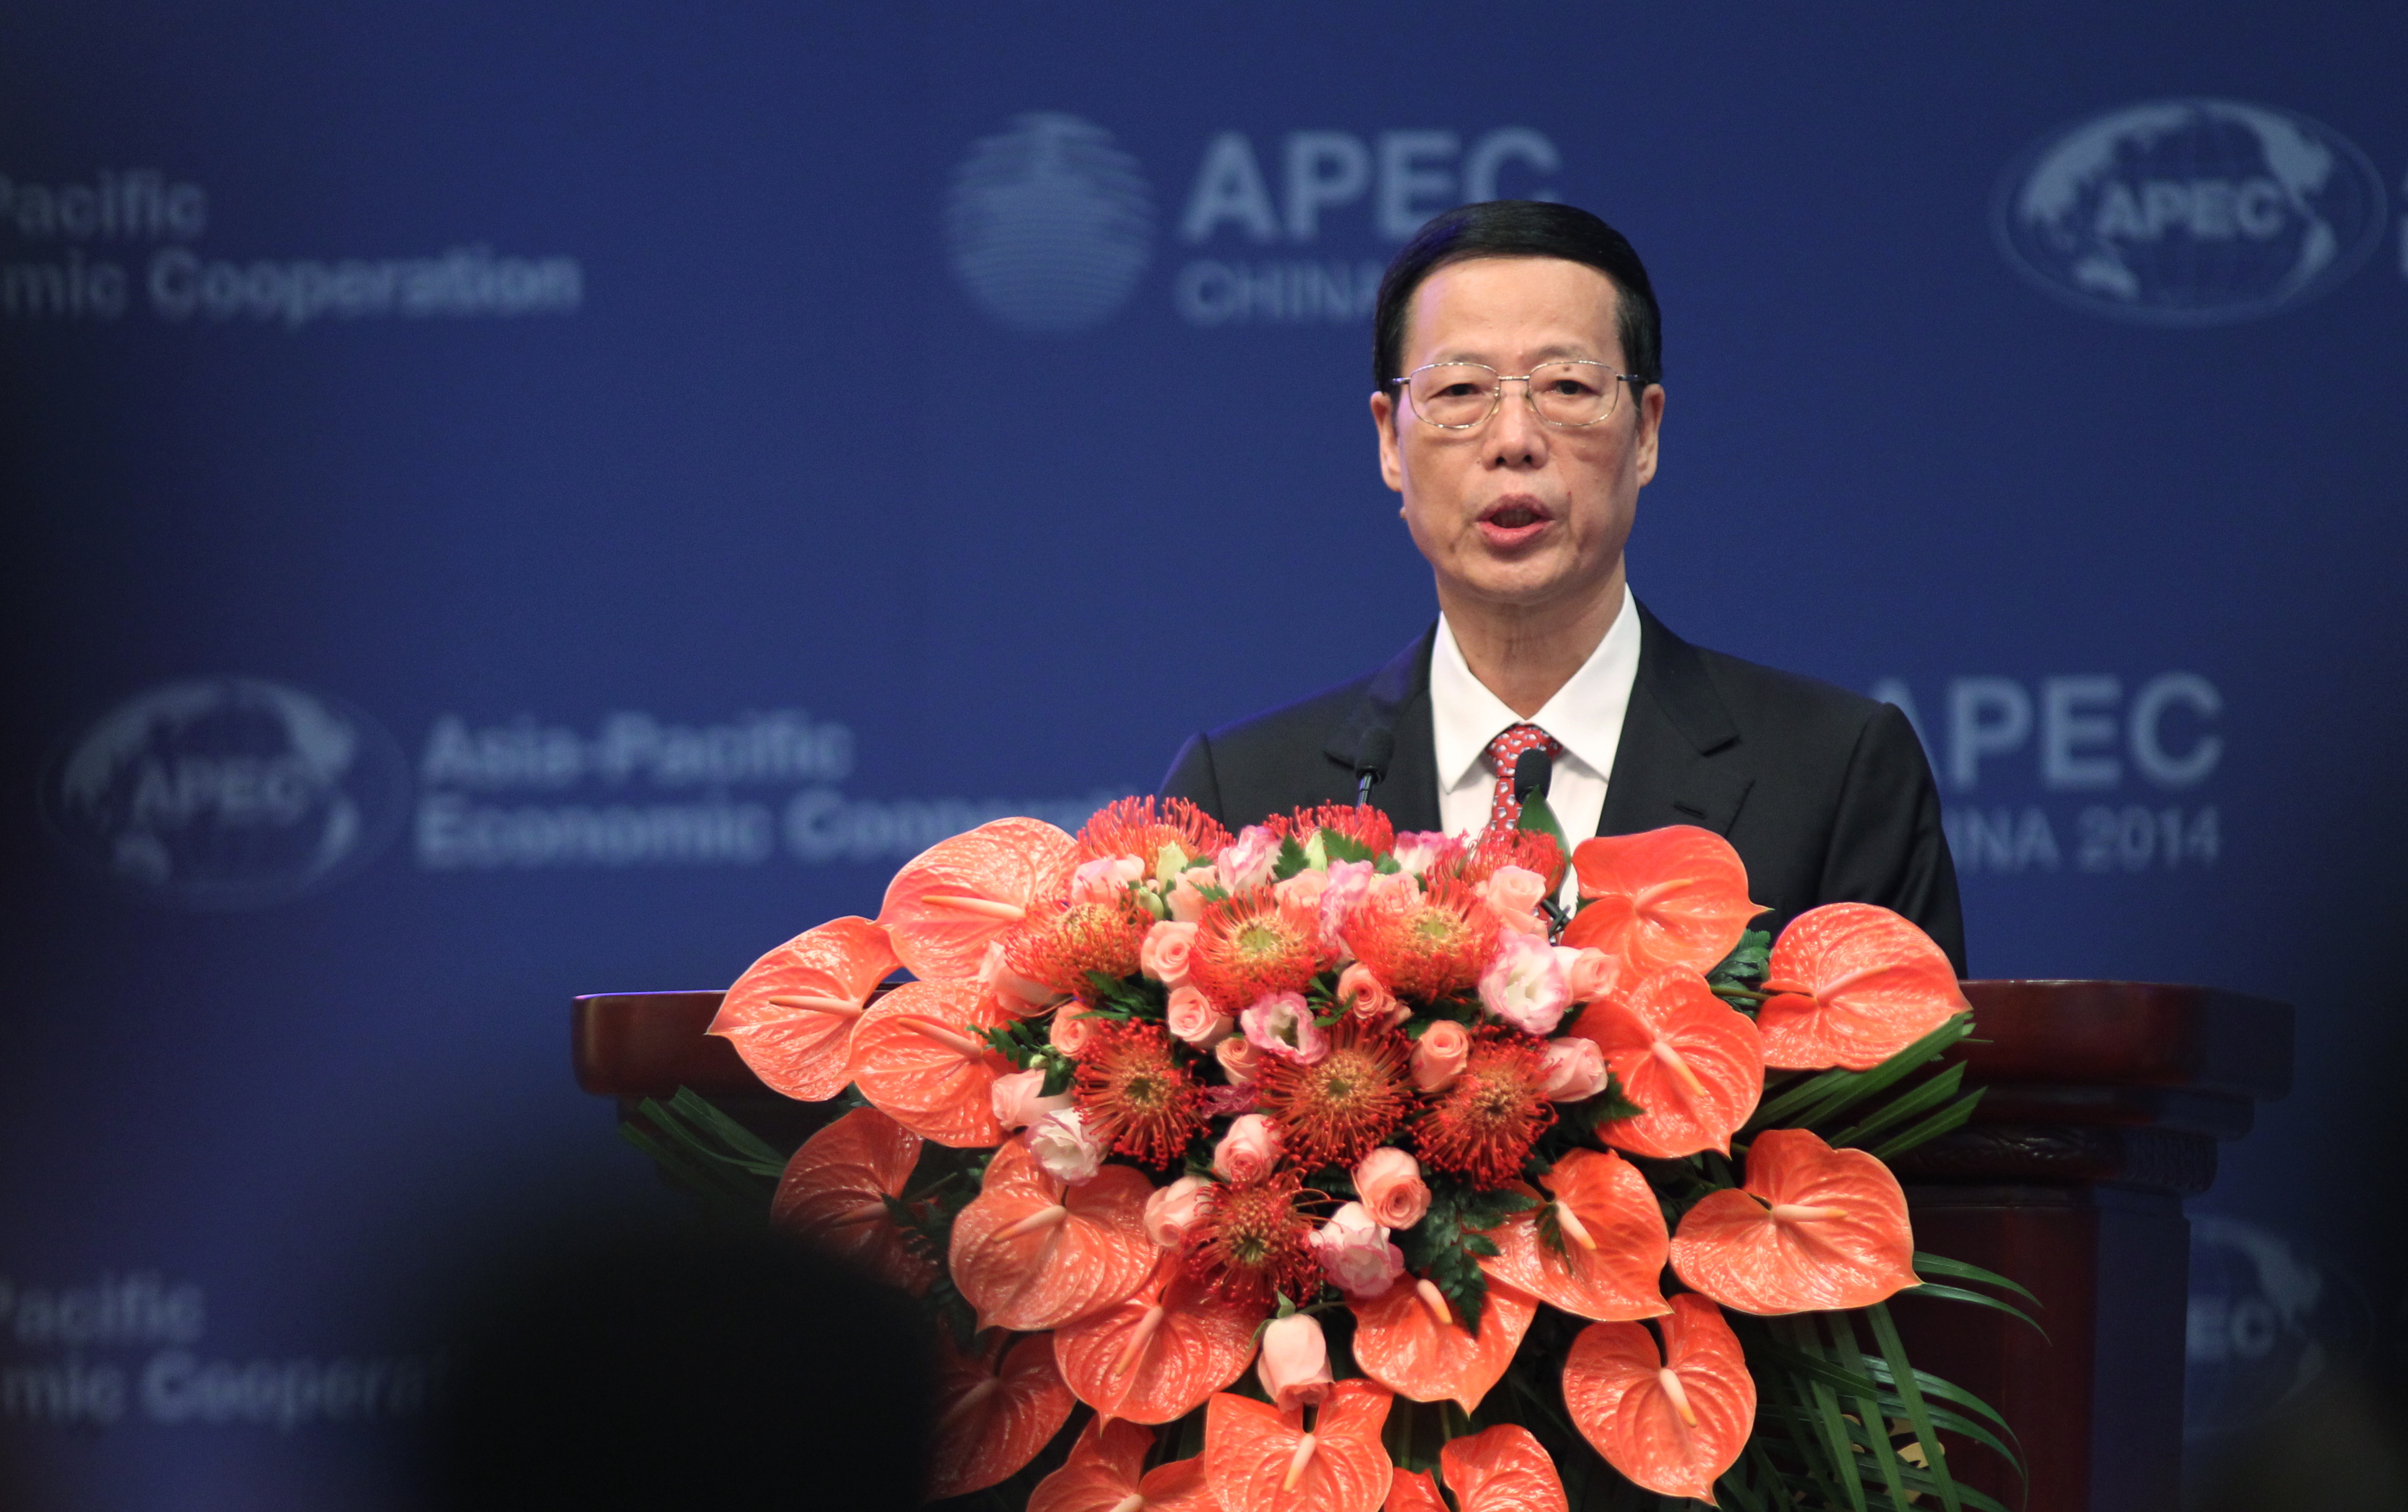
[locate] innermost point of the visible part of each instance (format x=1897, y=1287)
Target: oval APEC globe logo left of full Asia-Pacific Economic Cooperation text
x=228, y=793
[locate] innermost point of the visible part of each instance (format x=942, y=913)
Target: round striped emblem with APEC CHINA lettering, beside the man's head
x=1051, y=223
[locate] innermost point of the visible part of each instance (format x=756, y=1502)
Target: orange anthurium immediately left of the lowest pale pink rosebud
x=1159, y=1354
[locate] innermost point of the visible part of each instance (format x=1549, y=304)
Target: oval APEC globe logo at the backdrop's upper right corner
x=2190, y=213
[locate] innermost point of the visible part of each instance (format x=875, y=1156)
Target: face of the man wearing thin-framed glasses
x=1518, y=514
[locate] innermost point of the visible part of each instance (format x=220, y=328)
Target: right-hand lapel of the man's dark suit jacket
x=1665, y=769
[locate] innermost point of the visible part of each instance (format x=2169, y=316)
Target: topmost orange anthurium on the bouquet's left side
x=952, y=899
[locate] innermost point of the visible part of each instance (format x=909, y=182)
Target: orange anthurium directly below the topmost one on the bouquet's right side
x=1694, y=1063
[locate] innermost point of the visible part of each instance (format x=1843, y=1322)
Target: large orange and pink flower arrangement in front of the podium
x=1318, y=1159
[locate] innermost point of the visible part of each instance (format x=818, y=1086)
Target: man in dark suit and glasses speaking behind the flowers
x=1518, y=401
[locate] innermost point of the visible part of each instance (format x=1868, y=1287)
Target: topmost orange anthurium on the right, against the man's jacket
x=1672, y=897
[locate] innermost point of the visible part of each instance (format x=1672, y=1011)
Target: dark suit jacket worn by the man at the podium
x=1824, y=793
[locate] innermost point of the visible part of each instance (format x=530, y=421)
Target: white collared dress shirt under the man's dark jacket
x=1586, y=716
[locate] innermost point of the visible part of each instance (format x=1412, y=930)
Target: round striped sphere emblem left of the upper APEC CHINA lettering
x=1049, y=225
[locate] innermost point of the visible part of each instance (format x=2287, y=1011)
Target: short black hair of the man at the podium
x=1521, y=230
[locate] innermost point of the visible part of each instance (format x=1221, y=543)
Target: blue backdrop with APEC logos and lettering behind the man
x=514, y=502
